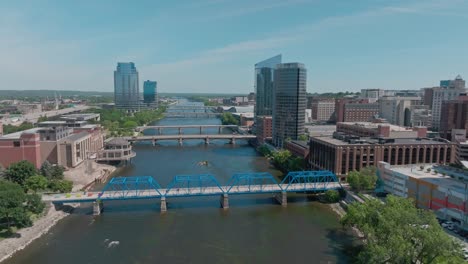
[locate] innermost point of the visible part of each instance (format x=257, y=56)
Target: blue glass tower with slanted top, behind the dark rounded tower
x=264, y=79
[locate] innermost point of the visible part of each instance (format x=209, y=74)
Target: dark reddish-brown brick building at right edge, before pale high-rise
x=455, y=116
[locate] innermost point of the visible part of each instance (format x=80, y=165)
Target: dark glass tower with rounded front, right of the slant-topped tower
x=289, y=102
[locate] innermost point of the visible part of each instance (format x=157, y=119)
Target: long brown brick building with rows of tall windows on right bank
x=343, y=153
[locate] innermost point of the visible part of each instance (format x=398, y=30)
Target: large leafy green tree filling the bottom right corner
x=398, y=232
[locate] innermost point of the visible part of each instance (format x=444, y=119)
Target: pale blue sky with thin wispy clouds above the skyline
x=212, y=45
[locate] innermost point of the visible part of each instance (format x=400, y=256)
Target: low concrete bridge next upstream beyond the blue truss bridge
x=180, y=138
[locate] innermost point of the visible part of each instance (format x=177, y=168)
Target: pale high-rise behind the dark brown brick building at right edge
x=445, y=93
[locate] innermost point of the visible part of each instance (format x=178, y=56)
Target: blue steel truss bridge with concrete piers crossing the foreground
x=146, y=187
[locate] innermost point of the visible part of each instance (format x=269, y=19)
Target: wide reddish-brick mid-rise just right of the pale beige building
x=355, y=110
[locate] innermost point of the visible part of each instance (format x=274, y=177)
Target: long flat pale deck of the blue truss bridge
x=79, y=197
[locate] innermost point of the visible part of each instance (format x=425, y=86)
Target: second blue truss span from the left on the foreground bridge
x=189, y=185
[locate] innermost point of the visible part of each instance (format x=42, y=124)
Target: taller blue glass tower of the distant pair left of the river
x=126, y=89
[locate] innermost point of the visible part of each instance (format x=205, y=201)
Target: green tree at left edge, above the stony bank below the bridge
x=12, y=210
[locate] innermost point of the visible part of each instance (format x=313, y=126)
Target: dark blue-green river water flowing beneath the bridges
x=255, y=229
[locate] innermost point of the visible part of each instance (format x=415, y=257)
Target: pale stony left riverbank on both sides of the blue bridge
x=83, y=179
